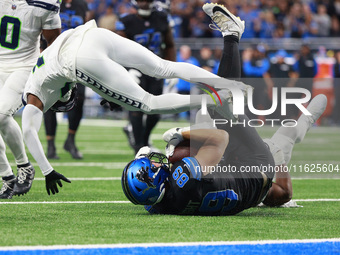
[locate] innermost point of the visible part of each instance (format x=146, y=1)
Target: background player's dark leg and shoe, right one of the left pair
x=74, y=118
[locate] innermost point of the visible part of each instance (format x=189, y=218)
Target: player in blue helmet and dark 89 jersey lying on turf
x=233, y=168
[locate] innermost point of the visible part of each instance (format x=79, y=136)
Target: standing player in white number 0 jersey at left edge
x=22, y=22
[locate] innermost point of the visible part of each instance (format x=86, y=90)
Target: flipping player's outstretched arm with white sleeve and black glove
x=31, y=122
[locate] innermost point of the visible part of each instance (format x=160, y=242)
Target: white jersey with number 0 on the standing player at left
x=21, y=24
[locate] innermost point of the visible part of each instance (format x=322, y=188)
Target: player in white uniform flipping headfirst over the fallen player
x=96, y=57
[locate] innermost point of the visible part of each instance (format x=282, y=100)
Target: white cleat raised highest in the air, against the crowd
x=223, y=20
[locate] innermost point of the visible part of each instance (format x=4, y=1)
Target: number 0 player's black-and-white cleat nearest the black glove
x=24, y=179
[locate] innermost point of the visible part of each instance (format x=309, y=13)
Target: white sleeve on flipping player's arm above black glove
x=31, y=122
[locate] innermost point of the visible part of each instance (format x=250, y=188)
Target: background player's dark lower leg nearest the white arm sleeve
x=50, y=120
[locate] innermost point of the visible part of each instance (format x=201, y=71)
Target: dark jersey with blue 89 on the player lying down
x=218, y=193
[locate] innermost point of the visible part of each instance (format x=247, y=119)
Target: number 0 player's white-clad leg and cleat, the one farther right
x=10, y=102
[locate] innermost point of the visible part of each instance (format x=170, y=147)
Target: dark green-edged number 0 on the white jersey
x=10, y=32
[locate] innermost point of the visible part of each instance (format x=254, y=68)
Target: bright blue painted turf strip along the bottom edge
x=315, y=248
